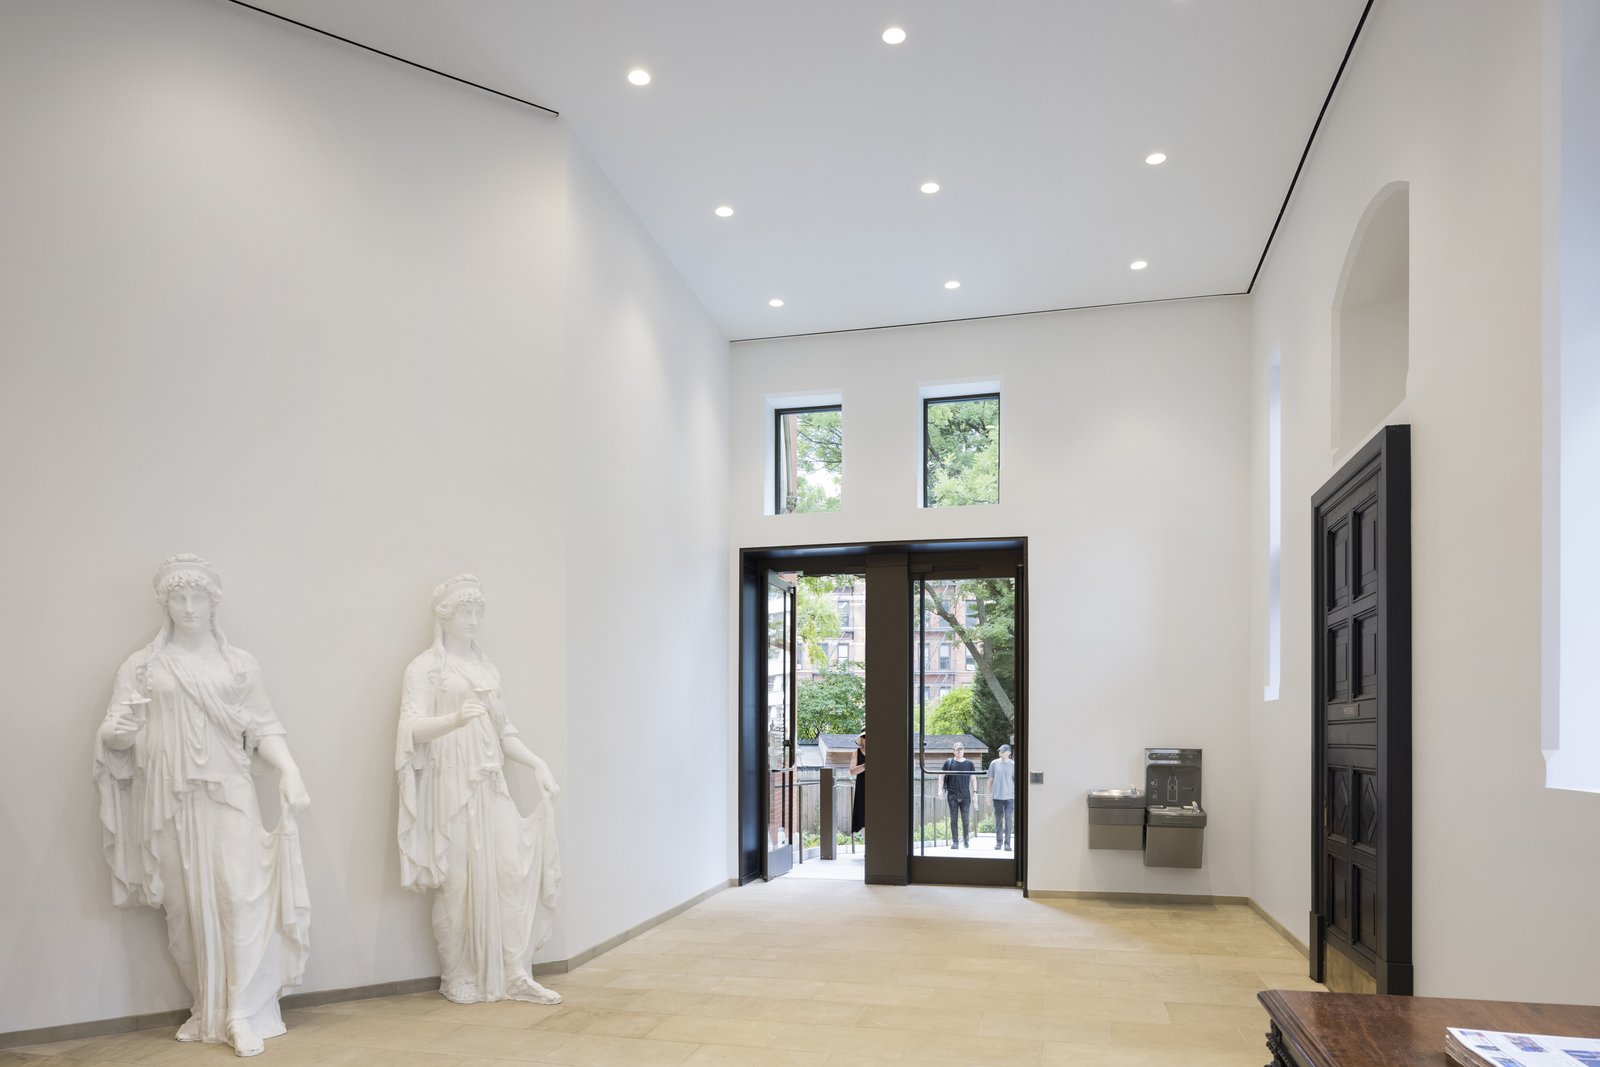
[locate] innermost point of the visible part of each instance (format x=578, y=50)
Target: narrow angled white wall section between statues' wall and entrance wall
x=649, y=818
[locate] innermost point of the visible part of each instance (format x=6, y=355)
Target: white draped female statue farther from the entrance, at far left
x=182, y=821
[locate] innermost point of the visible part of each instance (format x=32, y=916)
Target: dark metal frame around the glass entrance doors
x=889, y=569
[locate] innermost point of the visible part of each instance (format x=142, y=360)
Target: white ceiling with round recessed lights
x=1034, y=118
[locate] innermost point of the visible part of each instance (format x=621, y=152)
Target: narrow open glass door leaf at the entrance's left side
x=782, y=772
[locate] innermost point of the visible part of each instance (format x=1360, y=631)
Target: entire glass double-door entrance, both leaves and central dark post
x=946, y=629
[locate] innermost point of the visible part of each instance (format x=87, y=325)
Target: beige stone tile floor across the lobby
x=830, y=973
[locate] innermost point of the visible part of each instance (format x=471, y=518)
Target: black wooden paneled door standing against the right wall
x=1362, y=705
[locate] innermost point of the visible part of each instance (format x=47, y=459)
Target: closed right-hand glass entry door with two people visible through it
x=966, y=737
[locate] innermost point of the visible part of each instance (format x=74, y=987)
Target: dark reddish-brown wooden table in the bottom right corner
x=1366, y=1031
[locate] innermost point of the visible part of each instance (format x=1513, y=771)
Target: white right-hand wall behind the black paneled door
x=1446, y=97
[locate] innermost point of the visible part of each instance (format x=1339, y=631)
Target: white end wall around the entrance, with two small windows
x=1124, y=449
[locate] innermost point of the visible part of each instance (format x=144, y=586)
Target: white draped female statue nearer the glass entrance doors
x=494, y=871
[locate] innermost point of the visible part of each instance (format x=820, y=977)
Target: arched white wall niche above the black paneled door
x=1372, y=319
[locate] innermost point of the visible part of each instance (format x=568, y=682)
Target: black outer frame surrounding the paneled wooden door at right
x=1390, y=458
